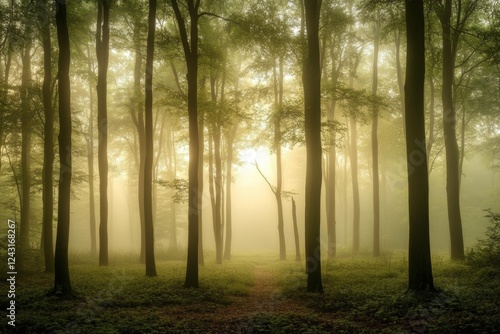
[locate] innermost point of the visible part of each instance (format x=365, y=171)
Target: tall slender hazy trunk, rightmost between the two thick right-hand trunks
x=376, y=180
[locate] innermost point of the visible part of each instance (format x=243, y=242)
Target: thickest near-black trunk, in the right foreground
x=419, y=255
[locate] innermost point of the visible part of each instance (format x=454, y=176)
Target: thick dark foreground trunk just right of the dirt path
x=312, y=101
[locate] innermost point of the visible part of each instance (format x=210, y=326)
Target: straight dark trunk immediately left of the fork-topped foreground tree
x=148, y=159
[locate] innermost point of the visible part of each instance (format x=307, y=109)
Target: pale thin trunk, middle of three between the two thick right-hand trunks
x=355, y=187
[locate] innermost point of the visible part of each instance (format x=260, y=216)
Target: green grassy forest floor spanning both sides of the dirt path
x=362, y=295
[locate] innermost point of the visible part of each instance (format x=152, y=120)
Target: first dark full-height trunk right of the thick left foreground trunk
x=102, y=52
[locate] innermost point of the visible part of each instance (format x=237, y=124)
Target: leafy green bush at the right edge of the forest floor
x=487, y=251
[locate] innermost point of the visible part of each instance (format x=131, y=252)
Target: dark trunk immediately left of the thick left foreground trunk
x=48, y=147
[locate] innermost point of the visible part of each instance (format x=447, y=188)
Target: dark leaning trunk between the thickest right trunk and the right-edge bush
x=450, y=138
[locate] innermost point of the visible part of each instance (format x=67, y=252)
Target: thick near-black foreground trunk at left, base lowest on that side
x=62, y=283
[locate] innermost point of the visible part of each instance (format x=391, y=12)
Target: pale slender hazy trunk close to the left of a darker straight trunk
x=90, y=162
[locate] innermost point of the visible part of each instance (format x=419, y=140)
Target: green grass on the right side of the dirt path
x=369, y=295
